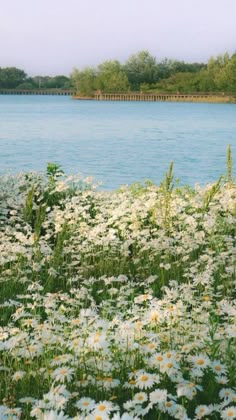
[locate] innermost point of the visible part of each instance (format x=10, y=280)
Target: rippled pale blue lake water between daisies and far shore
x=116, y=142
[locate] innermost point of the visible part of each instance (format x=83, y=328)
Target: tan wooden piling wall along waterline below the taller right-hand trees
x=164, y=97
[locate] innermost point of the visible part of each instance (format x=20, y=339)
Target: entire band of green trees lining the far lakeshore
x=141, y=72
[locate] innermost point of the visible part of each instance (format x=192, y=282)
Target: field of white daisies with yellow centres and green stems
x=116, y=305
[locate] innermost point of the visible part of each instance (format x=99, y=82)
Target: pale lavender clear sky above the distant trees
x=50, y=37
